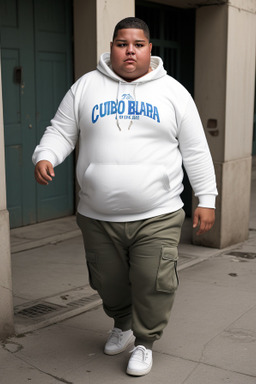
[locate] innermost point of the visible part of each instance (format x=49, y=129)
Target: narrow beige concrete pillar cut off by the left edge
x=6, y=302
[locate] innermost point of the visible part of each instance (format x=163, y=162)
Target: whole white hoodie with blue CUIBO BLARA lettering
x=133, y=137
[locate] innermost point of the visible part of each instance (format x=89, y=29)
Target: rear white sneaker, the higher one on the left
x=118, y=341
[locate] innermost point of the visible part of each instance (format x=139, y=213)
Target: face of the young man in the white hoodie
x=130, y=54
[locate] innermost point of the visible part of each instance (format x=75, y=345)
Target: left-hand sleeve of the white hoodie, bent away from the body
x=60, y=137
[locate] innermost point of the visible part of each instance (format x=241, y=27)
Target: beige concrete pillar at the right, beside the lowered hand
x=224, y=93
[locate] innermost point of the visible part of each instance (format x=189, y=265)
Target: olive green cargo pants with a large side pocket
x=132, y=265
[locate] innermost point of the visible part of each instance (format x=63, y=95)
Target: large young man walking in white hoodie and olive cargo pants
x=136, y=126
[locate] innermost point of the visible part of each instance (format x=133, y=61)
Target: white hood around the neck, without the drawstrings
x=156, y=64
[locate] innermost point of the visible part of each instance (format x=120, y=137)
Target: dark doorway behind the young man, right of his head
x=172, y=33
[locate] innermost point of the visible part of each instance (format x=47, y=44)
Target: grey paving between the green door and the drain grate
x=48, y=270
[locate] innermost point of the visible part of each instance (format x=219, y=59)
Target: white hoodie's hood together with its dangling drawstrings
x=105, y=68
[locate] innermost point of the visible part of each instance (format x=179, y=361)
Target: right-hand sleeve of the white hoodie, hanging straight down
x=196, y=156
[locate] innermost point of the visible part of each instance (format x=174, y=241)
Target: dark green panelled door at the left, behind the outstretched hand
x=36, y=62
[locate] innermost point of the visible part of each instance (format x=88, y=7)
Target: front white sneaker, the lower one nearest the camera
x=140, y=362
